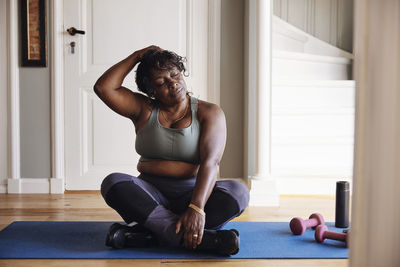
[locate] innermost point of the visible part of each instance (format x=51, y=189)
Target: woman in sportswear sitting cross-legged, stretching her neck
x=176, y=198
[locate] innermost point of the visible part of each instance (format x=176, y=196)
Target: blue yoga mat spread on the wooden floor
x=85, y=240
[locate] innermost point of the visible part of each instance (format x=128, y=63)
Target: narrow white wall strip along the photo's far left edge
x=3, y=97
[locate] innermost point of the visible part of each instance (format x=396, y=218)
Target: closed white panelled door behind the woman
x=97, y=140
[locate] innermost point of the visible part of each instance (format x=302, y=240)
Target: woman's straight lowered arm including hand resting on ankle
x=212, y=145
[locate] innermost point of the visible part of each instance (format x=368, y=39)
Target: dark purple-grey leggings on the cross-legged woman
x=157, y=202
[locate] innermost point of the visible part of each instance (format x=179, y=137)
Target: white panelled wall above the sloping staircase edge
x=328, y=20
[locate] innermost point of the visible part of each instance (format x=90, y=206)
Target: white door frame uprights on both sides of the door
x=57, y=81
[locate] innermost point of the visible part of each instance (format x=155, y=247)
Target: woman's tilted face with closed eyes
x=169, y=85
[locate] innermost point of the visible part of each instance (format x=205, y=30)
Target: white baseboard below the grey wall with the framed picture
x=35, y=186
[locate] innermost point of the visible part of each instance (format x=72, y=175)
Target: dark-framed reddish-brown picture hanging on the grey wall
x=33, y=33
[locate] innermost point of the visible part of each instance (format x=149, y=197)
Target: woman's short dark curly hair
x=156, y=60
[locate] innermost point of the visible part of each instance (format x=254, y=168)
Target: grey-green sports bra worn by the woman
x=156, y=142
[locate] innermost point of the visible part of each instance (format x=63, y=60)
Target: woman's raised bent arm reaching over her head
x=110, y=90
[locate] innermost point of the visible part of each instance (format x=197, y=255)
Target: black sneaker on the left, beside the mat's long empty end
x=121, y=236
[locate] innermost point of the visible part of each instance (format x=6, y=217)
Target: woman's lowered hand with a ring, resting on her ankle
x=193, y=227
